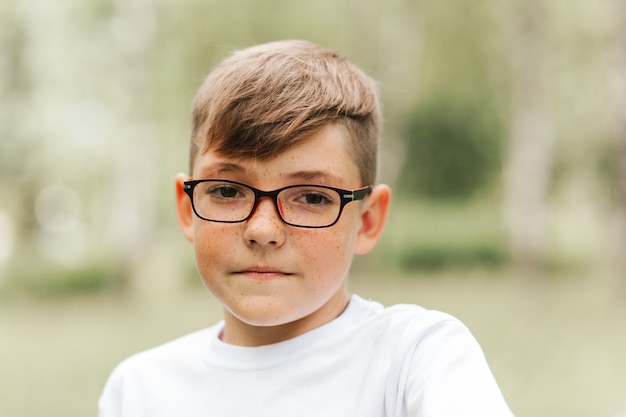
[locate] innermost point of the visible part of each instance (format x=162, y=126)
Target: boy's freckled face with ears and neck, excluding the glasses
x=276, y=281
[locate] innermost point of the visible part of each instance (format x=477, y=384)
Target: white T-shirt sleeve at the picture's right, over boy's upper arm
x=448, y=376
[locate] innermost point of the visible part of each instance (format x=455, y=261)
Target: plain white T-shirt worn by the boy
x=339, y=369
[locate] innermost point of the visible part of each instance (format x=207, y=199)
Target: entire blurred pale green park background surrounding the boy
x=504, y=142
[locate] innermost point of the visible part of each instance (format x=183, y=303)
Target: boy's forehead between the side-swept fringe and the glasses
x=322, y=158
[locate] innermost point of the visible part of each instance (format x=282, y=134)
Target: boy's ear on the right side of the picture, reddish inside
x=373, y=218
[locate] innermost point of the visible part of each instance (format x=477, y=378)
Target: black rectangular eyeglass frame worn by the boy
x=346, y=196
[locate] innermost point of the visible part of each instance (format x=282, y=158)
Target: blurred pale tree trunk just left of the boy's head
x=132, y=203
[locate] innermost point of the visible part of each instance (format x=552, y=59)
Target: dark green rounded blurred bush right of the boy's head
x=451, y=152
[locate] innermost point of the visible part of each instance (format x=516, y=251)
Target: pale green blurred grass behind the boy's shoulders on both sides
x=556, y=346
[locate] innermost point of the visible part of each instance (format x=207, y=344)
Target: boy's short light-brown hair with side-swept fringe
x=262, y=100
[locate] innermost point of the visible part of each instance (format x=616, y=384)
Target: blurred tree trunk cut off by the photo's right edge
x=619, y=138
